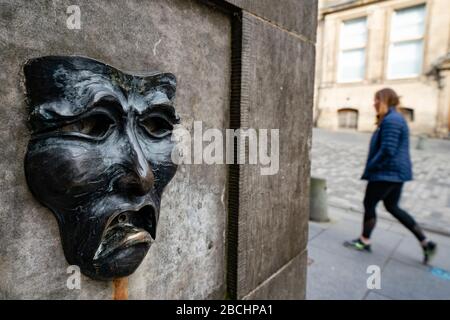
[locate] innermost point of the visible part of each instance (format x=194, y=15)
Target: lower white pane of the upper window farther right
x=405, y=59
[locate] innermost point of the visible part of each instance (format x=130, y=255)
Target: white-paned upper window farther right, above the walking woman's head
x=406, y=47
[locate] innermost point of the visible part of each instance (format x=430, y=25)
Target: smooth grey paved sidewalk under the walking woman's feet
x=337, y=272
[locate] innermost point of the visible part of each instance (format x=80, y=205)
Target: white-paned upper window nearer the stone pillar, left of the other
x=352, y=53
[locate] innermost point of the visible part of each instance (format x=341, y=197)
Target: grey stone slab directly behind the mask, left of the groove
x=187, y=260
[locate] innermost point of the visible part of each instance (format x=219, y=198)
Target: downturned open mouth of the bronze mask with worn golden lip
x=126, y=229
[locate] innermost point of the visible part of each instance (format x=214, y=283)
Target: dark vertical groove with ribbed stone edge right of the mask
x=242, y=68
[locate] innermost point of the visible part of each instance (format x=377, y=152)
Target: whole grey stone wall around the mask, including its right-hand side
x=270, y=86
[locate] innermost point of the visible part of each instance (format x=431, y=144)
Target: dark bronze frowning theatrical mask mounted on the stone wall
x=99, y=157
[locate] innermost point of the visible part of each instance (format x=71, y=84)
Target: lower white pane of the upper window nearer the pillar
x=352, y=65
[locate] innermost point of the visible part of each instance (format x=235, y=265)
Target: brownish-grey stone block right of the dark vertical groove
x=277, y=92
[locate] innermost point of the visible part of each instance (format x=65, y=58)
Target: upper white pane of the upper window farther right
x=408, y=23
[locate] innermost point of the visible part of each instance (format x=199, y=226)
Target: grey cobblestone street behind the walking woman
x=340, y=157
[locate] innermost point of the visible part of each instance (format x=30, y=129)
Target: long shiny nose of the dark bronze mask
x=138, y=179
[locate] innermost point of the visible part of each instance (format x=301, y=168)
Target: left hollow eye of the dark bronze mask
x=96, y=125
